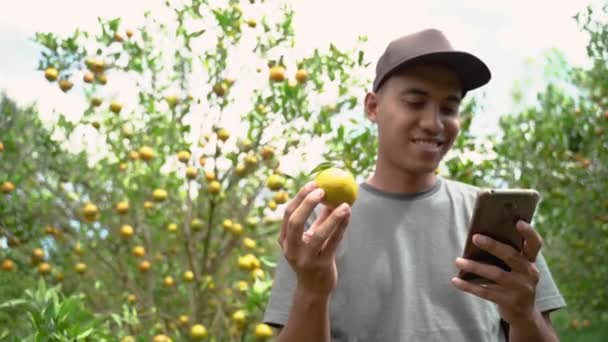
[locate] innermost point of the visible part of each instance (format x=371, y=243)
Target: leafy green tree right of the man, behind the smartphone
x=559, y=146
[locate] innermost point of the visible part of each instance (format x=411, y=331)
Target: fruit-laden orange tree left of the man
x=163, y=195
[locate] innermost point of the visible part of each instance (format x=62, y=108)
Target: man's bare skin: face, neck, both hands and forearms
x=418, y=119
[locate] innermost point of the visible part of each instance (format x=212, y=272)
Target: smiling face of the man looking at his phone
x=417, y=113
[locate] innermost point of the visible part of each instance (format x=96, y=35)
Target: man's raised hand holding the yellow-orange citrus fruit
x=311, y=254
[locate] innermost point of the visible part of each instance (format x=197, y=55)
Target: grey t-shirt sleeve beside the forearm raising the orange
x=284, y=284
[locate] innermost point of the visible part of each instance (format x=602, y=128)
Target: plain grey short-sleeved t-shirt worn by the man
x=395, y=265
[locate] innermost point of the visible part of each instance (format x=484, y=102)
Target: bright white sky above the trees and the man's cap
x=510, y=36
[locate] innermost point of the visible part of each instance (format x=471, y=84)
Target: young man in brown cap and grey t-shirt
x=384, y=269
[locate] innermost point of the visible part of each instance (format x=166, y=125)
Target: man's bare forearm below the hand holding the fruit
x=308, y=319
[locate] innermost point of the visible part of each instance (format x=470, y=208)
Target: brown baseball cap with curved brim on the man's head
x=431, y=46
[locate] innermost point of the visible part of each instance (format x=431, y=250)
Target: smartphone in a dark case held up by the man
x=495, y=215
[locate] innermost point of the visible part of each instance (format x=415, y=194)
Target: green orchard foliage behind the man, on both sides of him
x=181, y=100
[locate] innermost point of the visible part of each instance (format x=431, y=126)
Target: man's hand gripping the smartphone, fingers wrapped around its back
x=513, y=291
